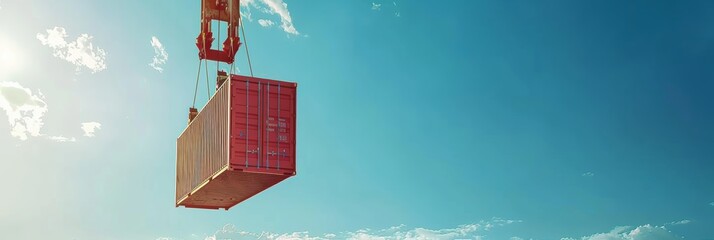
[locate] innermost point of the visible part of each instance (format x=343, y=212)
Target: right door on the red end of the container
x=278, y=126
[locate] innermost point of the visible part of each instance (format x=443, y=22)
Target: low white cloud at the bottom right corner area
x=645, y=232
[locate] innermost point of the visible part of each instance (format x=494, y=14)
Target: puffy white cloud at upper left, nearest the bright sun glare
x=80, y=52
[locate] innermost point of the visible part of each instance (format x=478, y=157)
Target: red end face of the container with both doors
x=264, y=125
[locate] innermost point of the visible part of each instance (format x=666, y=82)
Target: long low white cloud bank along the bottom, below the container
x=469, y=231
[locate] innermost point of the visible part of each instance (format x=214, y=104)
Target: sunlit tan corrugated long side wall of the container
x=202, y=149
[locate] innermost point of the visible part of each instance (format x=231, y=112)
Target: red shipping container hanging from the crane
x=241, y=143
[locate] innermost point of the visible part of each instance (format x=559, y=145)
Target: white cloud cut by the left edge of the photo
x=24, y=110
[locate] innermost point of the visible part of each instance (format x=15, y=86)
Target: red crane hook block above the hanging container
x=224, y=11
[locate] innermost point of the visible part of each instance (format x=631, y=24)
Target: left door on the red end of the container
x=246, y=124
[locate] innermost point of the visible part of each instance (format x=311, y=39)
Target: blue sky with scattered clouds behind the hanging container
x=416, y=119
